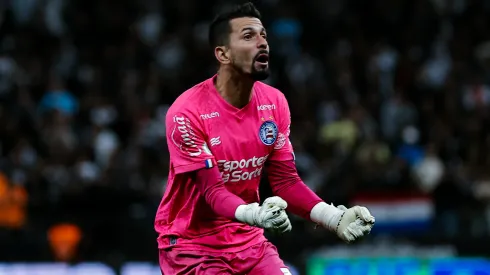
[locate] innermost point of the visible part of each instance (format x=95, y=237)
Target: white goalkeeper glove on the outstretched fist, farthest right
x=350, y=224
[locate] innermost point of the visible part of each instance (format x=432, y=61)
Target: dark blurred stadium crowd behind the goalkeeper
x=385, y=95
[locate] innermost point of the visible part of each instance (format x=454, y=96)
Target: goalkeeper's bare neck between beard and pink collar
x=234, y=87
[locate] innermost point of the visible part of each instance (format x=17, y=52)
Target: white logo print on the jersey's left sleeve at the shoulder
x=184, y=137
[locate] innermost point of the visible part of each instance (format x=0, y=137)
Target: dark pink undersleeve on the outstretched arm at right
x=286, y=184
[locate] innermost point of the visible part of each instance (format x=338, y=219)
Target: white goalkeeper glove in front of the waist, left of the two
x=270, y=216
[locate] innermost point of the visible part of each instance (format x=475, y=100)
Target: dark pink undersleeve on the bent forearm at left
x=223, y=202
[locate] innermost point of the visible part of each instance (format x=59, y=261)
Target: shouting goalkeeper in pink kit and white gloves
x=221, y=134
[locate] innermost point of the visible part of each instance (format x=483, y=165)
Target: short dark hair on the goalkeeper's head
x=220, y=28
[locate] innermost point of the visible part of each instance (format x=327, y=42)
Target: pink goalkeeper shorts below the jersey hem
x=259, y=259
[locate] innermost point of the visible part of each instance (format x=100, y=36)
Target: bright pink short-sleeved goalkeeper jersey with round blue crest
x=203, y=130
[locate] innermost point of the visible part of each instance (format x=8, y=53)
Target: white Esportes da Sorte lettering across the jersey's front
x=244, y=169
